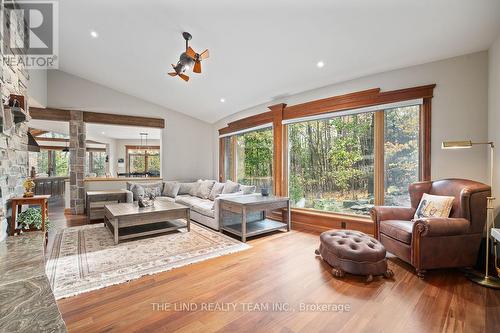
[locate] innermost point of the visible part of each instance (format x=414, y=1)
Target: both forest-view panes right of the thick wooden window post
x=334, y=163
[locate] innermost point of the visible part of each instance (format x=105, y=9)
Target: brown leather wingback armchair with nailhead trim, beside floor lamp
x=435, y=242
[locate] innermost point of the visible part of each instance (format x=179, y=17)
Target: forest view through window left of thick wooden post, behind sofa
x=248, y=158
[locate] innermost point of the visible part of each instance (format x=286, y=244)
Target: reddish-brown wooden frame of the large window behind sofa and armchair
x=320, y=220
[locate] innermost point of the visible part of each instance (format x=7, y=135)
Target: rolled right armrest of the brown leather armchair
x=439, y=226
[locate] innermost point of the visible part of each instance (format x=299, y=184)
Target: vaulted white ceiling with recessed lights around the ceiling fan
x=261, y=49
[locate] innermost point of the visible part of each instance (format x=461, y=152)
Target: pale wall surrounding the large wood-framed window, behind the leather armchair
x=459, y=109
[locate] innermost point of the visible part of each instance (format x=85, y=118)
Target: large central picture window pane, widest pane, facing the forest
x=332, y=164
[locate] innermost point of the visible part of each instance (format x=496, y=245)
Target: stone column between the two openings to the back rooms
x=77, y=149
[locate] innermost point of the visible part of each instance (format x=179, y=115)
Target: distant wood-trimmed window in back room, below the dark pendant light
x=142, y=160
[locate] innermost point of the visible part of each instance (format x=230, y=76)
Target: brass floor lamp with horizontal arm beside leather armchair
x=482, y=279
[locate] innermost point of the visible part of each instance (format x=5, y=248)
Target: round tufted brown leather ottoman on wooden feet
x=353, y=252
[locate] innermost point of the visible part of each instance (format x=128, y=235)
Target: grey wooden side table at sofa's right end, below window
x=254, y=203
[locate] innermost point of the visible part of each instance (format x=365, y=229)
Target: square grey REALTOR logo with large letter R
x=29, y=32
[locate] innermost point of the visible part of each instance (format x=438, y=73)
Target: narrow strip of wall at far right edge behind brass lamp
x=494, y=116
